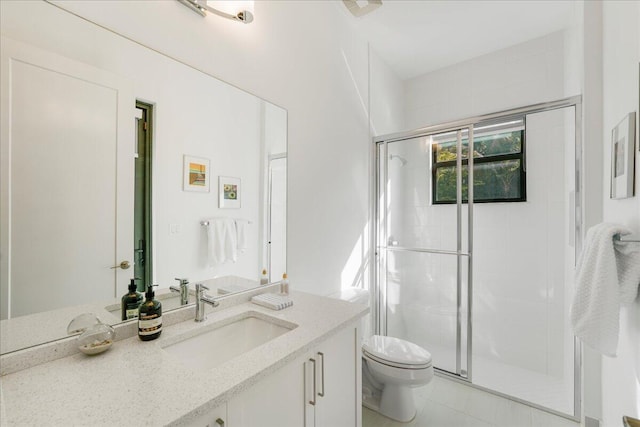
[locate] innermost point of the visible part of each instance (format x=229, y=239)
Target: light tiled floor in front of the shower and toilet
x=445, y=403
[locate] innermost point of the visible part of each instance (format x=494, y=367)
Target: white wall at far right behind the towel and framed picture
x=621, y=57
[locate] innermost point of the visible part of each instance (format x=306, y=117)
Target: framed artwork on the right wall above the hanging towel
x=623, y=139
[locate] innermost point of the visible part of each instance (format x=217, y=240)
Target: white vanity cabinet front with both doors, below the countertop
x=288, y=398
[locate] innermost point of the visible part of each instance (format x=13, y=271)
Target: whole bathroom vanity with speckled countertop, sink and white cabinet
x=306, y=373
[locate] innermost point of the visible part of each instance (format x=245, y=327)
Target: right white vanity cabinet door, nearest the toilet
x=338, y=380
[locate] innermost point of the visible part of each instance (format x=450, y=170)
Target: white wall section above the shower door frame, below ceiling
x=520, y=75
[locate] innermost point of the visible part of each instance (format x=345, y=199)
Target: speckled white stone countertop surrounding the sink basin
x=138, y=383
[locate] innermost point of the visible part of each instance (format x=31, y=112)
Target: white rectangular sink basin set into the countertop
x=219, y=343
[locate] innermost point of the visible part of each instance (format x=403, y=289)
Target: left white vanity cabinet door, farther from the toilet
x=276, y=401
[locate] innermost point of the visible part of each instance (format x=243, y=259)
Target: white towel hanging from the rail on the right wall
x=607, y=275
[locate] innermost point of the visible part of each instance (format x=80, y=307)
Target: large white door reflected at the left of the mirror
x=67, y=174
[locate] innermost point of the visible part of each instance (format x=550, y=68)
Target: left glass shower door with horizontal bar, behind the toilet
x=423, y=247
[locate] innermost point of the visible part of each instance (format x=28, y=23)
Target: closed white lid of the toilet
x=396, y=351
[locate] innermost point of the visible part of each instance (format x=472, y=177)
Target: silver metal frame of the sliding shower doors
x=380, y=233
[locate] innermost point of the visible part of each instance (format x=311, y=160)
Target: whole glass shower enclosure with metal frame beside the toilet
x=481, y=275
